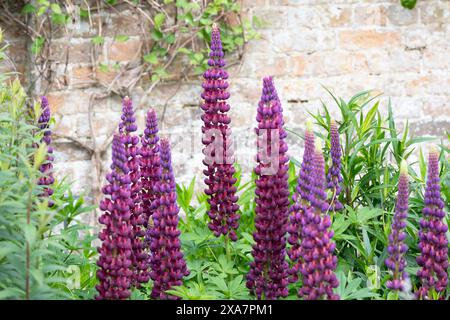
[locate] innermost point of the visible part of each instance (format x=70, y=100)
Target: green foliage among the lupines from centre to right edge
x=372, y=151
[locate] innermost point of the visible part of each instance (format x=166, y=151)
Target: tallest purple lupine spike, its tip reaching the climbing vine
x=217, y=136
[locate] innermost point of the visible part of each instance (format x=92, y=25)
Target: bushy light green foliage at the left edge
x=45, y=253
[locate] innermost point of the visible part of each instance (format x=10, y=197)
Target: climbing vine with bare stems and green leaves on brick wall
x=171, y=31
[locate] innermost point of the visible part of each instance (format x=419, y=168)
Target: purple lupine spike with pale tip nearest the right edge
x=433, y=243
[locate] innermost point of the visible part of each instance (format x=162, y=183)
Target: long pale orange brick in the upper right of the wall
x=366, y=39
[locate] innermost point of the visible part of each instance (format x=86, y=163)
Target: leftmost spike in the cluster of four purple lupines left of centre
x=115, y=254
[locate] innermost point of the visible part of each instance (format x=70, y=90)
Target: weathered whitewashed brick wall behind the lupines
x=344, y=45
